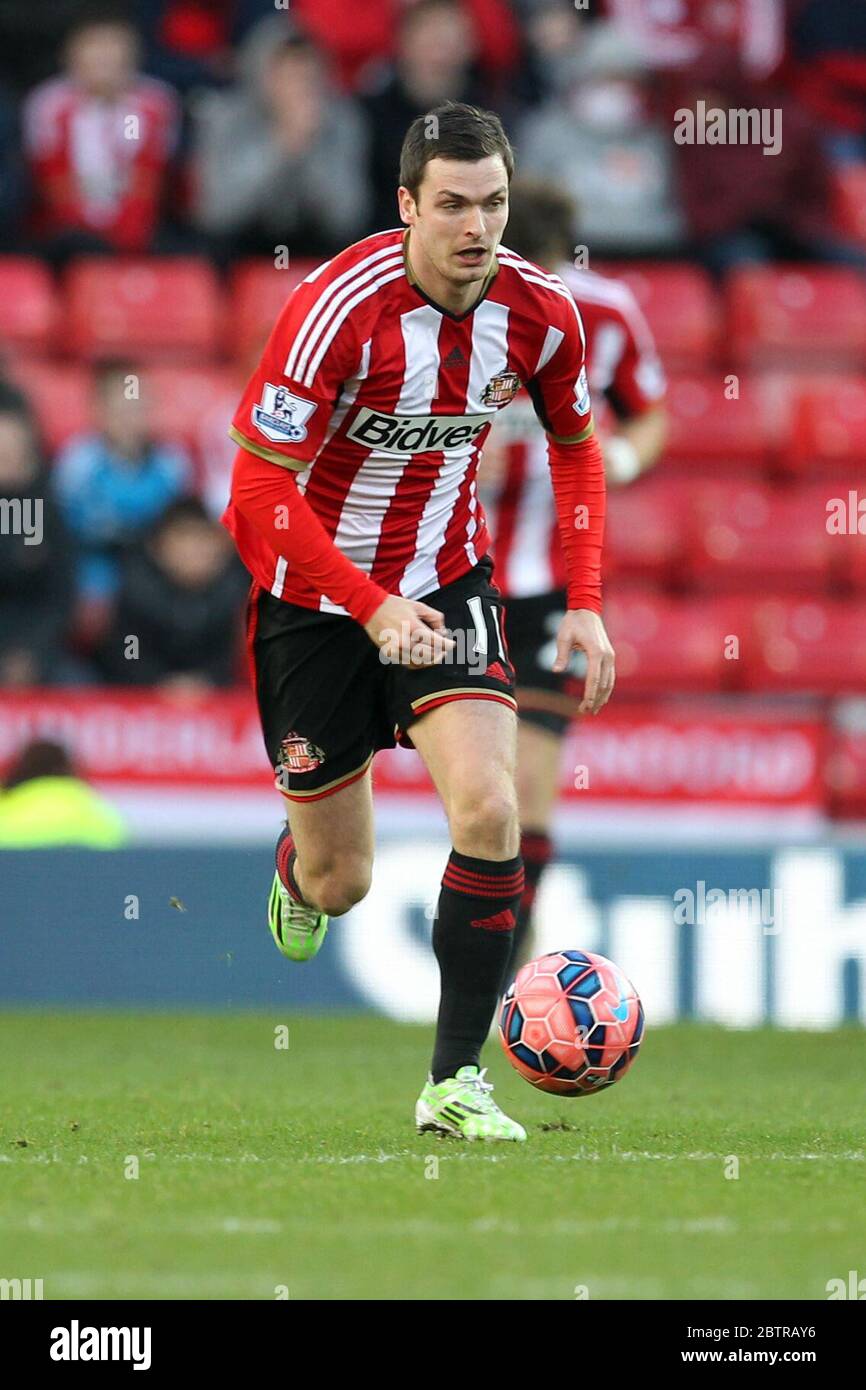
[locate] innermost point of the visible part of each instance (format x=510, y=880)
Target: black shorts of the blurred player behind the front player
x=547, y=700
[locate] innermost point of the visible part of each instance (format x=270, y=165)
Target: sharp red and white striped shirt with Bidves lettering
x=382, y=401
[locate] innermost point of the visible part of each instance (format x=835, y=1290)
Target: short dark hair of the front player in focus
x=452, y=131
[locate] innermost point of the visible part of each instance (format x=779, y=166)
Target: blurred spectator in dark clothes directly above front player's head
x=434, y=58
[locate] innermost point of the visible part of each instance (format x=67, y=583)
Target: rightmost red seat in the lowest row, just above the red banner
x=811, y=646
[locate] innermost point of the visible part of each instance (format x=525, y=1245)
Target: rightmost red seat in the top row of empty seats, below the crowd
x=811, y=313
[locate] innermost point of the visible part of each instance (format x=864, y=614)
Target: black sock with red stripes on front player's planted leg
x=473, y=942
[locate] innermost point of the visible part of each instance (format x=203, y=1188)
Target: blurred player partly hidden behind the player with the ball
x=629, y=387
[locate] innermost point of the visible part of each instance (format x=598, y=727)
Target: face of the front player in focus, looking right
x=459, y=218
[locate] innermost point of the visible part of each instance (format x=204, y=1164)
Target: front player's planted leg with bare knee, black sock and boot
x=471, y=749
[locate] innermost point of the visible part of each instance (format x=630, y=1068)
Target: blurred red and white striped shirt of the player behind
x=626, y=379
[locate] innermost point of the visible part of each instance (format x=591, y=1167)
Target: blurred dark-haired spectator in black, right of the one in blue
x=183, y=601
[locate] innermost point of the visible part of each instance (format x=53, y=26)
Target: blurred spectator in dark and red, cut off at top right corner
x=831, y=73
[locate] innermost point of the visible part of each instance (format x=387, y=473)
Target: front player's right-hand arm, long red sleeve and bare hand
x=578, y=471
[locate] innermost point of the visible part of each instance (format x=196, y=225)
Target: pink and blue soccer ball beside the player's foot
x=572, y=1024
